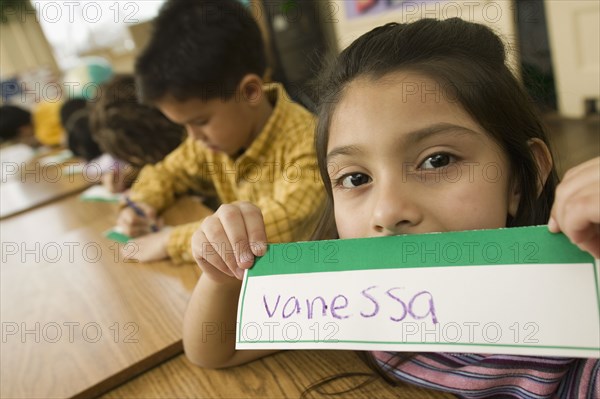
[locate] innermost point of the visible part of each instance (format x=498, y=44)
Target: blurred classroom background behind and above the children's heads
x=50, y=50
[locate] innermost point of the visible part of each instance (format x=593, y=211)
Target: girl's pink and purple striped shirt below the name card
x=482, y=376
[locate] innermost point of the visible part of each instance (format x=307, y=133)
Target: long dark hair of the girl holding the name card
x=468, y=61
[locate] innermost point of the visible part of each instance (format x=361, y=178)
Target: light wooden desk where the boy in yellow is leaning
x=77, y=320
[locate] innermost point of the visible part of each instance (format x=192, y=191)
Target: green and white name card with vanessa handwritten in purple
x=521, y=291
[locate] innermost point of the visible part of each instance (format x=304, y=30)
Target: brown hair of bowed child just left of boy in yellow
x=130, y=131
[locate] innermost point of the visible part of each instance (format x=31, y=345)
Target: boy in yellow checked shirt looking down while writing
x=247, y=141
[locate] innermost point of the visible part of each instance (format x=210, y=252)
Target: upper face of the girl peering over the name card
x=404, y=158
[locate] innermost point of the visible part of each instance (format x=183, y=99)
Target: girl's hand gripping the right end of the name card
x=576, y=209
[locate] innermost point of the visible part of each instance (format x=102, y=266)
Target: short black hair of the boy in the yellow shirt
x=199, y=49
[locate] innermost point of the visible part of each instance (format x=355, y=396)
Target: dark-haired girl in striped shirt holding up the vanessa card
x=413, y=120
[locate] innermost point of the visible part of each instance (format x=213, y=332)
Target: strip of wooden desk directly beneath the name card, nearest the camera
x=283, y=375
